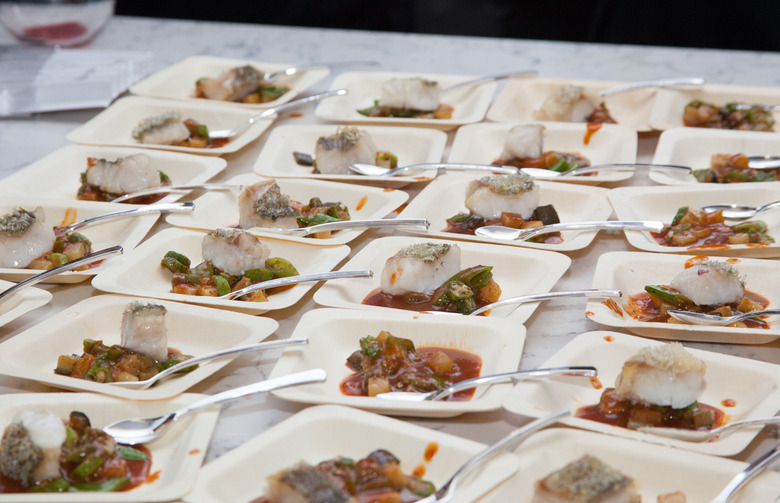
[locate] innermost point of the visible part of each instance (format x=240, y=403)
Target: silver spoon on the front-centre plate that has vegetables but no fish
x=441, y=394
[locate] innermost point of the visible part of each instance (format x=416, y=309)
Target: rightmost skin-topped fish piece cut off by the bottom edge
x=586, y=480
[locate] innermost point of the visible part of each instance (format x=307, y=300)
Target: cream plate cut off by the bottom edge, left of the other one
x=326, y=432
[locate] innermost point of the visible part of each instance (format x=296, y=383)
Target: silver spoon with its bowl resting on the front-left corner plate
x=141, y=430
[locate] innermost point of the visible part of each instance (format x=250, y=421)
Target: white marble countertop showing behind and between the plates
x=25, y=140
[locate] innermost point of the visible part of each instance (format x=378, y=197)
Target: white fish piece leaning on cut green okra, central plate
x=420, y=267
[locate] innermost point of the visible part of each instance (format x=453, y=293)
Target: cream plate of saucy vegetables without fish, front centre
x=334, y=334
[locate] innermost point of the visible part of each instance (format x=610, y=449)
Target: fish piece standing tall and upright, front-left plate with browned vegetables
x=144, y=331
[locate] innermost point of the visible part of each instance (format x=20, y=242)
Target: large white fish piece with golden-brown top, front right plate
x=665, y=375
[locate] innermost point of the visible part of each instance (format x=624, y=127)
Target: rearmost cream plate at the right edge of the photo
x=669, y=104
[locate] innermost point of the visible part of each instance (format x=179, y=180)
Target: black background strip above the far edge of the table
x=747, y=24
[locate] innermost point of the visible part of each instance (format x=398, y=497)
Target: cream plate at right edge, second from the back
x=695, y=147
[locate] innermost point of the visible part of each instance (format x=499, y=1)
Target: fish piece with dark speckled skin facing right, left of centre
x=264, y=205
